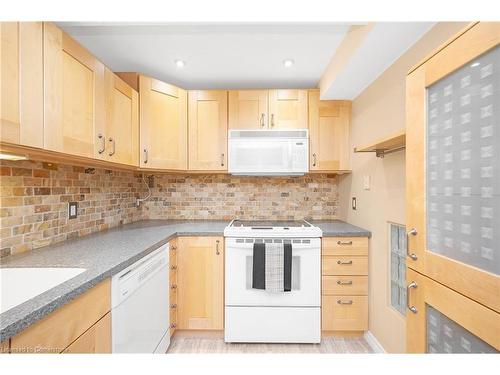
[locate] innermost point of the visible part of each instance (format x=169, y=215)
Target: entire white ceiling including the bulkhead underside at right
x=248, y=55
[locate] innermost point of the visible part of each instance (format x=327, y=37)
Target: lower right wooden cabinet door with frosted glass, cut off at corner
x=441, y=320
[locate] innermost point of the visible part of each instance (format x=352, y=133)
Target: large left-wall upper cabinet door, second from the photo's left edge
x=74, y=94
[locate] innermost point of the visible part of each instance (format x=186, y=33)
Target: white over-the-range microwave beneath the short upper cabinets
x=268, y=152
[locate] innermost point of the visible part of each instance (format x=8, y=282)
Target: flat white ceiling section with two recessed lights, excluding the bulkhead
x=217, y=55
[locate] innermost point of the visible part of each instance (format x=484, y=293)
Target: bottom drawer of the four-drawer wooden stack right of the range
x=344, y=313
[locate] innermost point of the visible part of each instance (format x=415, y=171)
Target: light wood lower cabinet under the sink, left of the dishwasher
x=60, y=329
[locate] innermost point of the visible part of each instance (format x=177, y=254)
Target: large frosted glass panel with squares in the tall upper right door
x=463, y=164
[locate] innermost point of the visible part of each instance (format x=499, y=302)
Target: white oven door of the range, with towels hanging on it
x=306, y=275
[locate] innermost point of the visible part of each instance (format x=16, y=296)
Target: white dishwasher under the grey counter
x=140, y=318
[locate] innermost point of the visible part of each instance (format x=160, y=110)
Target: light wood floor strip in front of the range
x=214, y=343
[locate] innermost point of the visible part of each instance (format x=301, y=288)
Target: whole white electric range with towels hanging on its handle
x=254, y=315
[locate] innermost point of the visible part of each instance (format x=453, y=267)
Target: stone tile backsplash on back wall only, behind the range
x=226, y=197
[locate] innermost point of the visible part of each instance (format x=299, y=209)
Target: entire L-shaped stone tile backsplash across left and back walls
x=34, y=200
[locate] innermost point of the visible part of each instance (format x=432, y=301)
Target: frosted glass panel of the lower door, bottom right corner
x=446, y=336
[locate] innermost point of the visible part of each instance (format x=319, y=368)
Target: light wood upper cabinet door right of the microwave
x=329, y=133
